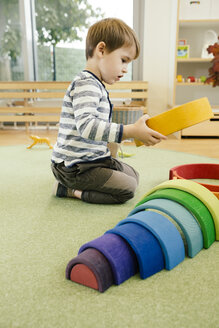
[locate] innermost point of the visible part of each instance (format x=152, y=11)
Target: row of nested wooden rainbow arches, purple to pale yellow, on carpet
x=176, y=218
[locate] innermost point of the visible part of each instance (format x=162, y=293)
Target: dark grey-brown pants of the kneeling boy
x=109, y=181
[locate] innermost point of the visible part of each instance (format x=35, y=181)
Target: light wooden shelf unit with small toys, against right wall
x=192, y=63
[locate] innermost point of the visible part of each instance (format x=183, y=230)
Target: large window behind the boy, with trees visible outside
x=42, y=43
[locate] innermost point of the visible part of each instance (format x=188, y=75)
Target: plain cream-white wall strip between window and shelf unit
x=159, y=52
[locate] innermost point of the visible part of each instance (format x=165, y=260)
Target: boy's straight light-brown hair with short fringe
x=114, y=33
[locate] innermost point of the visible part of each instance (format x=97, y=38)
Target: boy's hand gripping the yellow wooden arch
x=140, y=131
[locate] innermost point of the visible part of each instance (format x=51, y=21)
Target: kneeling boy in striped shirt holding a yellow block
x=81, y=159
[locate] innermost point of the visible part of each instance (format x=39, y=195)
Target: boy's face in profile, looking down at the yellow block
x=114, y=65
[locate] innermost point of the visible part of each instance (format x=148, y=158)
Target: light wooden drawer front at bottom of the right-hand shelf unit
x=207, y=128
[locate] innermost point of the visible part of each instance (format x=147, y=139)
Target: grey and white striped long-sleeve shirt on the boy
x=85, y=124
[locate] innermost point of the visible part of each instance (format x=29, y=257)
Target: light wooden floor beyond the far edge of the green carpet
x=206, y=147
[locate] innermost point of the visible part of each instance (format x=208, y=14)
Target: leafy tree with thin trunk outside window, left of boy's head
x=62, y=21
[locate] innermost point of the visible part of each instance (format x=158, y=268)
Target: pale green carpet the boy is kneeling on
x=41, y=233
